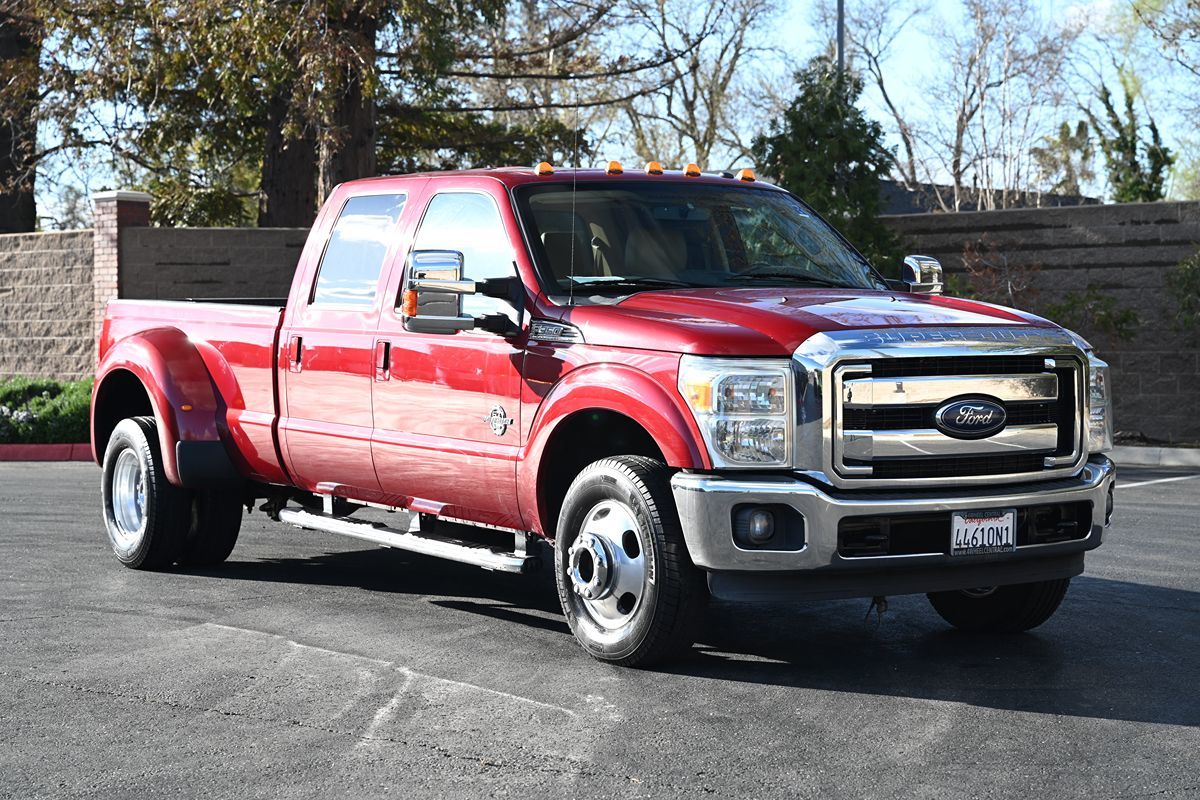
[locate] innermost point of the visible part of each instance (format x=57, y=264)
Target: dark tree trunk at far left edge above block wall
x=20, y=47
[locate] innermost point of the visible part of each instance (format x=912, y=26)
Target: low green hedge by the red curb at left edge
x=38, y=411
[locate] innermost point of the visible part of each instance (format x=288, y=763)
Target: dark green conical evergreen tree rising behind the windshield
x=827, y=153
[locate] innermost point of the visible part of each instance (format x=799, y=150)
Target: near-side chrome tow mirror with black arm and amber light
x=434, y=292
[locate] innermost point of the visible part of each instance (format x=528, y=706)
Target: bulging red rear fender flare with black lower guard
x=189, y=411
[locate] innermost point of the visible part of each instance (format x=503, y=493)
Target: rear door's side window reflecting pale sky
x=353, y=260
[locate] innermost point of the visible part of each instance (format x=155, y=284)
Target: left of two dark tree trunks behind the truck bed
x=289, y=195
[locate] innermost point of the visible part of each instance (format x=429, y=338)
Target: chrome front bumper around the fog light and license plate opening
x=706, y=507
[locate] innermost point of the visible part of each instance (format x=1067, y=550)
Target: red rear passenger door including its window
x=327, y=345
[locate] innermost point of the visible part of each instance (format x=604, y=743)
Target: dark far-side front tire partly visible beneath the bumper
x=1001, y=610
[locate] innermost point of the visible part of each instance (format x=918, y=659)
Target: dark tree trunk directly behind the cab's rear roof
x=349, y=148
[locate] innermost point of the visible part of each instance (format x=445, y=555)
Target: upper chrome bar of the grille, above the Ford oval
x=869, y=393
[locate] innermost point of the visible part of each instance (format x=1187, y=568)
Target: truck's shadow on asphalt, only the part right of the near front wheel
x=1115, y=651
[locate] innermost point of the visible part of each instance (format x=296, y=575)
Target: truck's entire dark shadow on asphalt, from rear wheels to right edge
x=1115, y=651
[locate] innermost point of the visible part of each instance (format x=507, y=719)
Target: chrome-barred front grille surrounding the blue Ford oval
x=884, y=417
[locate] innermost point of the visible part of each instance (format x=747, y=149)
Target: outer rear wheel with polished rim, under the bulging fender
x=146, y=516
